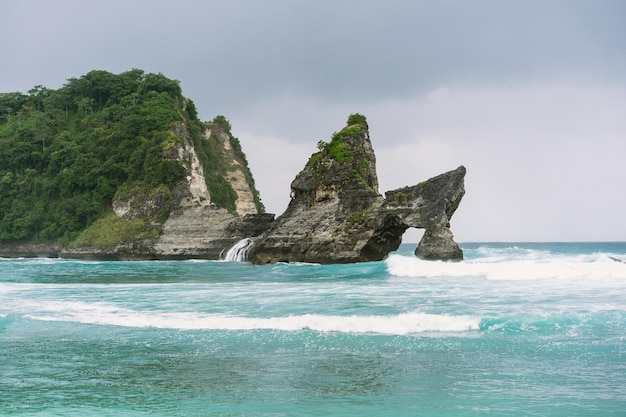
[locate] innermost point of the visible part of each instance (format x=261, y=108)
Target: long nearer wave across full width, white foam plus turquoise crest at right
x=605, y=322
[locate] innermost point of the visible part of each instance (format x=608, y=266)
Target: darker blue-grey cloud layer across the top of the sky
x=231, y=54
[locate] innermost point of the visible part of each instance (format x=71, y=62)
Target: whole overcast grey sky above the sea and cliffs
x=530, y=96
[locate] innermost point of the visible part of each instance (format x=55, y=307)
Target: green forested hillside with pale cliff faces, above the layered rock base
x=106, y=159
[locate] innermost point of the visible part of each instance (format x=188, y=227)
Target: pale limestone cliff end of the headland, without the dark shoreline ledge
x=200, y=229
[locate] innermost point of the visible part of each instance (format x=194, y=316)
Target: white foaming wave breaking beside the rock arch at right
x=526, y=268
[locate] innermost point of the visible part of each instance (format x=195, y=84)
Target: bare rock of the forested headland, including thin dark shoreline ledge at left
x=196, y=227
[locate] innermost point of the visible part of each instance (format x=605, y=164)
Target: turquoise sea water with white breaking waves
x=514, y=329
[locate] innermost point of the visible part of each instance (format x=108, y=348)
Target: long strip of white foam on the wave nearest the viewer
x=399, y=324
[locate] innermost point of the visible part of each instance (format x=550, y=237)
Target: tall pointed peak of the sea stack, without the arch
x=330, y=198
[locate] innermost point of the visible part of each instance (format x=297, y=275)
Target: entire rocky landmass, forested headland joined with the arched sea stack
x=120, y=167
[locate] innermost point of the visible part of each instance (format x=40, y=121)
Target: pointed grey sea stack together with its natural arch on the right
x=336, y=214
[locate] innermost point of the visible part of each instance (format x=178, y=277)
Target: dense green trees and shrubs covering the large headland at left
x=65, y=153
